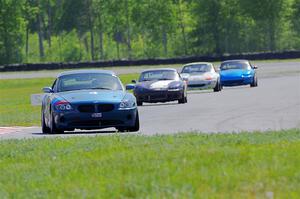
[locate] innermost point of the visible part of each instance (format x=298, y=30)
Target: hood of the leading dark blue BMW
x=82, y=96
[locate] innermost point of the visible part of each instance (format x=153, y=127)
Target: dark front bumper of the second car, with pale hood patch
x=159, y=95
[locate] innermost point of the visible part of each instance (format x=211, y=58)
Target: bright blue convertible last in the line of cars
x=238, y=72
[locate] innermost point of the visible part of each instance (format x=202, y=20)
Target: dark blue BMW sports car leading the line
x=88, y=99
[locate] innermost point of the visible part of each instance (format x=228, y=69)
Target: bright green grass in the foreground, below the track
x=246, y=165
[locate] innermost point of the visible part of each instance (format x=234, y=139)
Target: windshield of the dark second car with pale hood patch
x=158, y=75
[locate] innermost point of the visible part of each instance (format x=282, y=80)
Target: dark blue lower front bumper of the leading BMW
x=78, y=120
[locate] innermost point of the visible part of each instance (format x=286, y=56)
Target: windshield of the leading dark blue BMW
x=88, y=81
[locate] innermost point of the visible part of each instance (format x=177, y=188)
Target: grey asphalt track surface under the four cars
x=273, y=105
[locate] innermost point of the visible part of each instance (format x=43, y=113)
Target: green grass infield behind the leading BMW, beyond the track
x=15, y=107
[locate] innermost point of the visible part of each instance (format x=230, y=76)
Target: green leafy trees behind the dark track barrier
x=81, y=30
